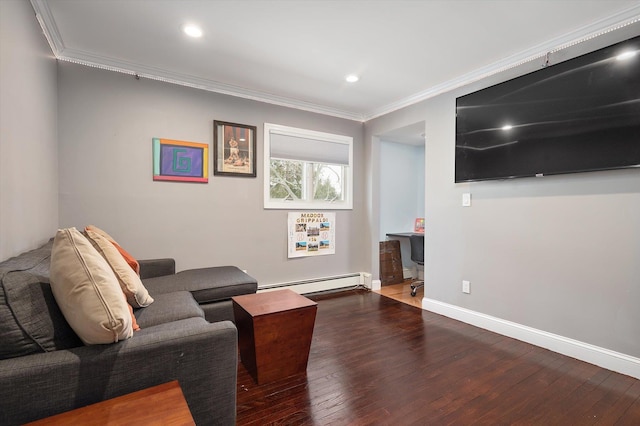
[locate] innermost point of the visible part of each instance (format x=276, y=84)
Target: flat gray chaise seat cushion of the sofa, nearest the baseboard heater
x=206, y=284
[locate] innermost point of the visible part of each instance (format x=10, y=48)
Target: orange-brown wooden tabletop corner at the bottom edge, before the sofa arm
x=159, y=405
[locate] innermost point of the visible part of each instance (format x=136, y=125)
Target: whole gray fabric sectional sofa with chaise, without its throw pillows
x=187, y=334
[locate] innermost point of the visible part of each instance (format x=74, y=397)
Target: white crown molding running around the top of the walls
x=61, y=52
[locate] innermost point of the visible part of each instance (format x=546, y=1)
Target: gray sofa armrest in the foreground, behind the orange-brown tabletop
x=200, y=355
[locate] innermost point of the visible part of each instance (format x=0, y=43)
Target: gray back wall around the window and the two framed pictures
x=107, y=121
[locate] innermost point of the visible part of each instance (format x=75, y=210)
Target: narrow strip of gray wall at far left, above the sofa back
x=28, y=132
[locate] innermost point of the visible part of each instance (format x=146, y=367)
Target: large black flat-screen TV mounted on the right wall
x=579, y=115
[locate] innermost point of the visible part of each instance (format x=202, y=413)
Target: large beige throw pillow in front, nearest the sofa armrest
x=87, y=290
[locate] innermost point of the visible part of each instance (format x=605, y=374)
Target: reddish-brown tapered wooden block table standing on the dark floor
x=275, y=329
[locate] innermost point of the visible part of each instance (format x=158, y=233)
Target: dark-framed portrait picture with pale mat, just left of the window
x=234, y=149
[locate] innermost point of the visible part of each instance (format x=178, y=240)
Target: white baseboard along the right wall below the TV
x=592, y=354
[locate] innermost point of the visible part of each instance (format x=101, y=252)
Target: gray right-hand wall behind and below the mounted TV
x=559, y=254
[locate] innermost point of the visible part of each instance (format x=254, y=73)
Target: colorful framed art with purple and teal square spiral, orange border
x=180, y=161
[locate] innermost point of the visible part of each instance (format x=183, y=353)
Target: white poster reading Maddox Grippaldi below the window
x=311, y=234
